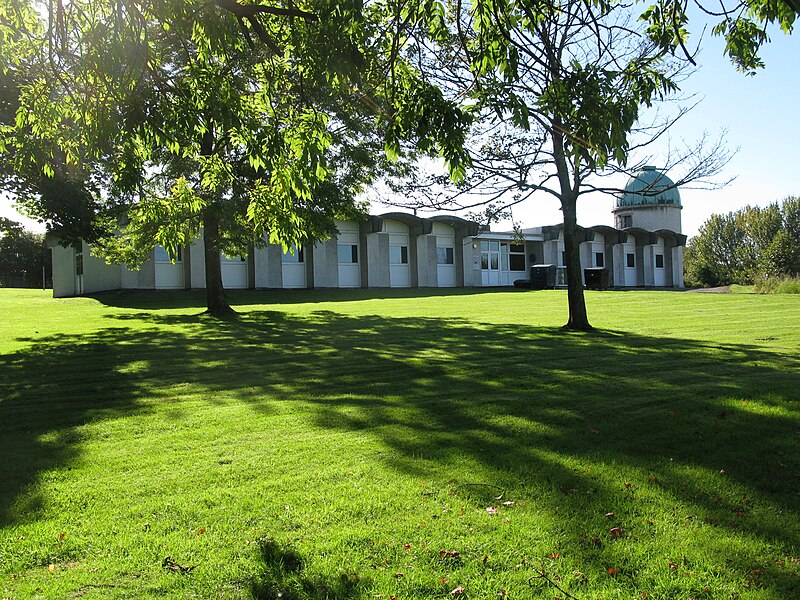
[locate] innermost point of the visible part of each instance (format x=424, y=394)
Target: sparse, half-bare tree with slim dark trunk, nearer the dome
x=558, y=91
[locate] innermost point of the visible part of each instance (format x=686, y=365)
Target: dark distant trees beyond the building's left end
x=24, y=257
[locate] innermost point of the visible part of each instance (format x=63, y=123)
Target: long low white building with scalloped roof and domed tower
x=400, y=250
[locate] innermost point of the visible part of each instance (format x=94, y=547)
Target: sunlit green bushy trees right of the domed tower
x=746, y=246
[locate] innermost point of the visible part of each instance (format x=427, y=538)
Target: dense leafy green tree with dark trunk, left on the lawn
x=253, y=122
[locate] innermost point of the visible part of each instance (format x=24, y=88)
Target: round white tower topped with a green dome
x=650, y=201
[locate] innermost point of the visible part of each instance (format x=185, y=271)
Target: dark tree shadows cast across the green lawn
x=521, y=403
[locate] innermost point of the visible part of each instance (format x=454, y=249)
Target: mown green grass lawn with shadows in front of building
x=378, y=445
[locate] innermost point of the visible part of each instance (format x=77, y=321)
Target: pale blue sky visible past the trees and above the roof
x=761, y=114
